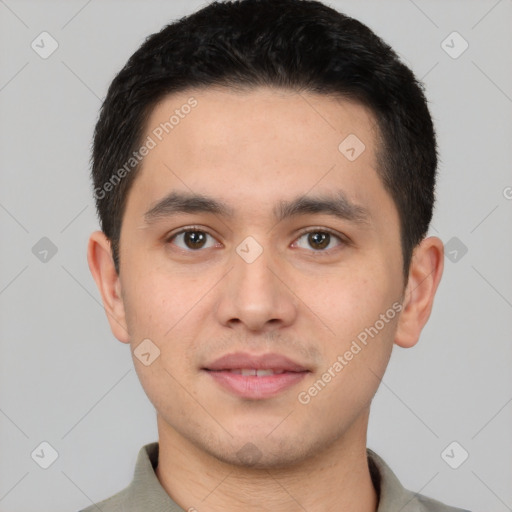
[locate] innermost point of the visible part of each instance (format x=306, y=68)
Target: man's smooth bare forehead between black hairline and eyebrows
x=265, y=144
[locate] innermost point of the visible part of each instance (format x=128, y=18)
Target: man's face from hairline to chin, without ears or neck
x=288, y=263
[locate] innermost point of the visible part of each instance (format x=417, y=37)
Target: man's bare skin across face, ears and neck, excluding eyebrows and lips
x=251, y=150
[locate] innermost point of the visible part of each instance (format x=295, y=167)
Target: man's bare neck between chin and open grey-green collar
x=336, y=479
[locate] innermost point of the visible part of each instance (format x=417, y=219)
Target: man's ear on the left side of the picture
x=107, y=280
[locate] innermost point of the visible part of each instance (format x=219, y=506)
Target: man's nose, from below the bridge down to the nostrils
x=256, y=294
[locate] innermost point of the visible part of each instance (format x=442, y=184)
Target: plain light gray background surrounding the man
x=66, y=380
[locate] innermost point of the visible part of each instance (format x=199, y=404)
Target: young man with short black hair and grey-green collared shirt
x=264, y=173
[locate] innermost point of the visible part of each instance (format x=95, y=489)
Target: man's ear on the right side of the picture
x=425, y=273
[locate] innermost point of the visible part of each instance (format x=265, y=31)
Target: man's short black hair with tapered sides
x=298, y=45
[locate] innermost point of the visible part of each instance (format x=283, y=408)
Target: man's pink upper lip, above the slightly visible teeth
x=243, y=360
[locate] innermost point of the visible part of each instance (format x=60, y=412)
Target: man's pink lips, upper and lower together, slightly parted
x=251, y=386
